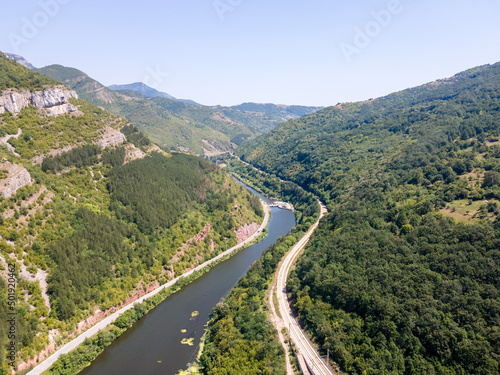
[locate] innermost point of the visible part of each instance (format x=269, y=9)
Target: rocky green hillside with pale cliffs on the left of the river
x=93, y=215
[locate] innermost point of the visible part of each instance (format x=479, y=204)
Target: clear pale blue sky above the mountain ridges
x=232, y=51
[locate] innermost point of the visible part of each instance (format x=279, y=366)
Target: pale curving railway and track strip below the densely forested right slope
x=304, y=348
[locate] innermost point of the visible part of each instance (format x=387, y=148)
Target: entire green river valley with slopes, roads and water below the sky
x=113, y=199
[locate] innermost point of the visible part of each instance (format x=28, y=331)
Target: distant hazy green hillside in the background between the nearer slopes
x=172, y=123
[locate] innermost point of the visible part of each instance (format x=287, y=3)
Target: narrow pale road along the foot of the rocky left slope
x=44, y=365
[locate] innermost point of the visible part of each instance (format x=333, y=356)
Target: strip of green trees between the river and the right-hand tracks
x=239, y=337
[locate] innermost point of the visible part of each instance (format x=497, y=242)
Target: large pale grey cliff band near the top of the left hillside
x=53, y=101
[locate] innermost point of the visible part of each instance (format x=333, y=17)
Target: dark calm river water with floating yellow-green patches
x=153, y=345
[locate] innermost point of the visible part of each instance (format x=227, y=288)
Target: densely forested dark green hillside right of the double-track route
x=403, y=275
